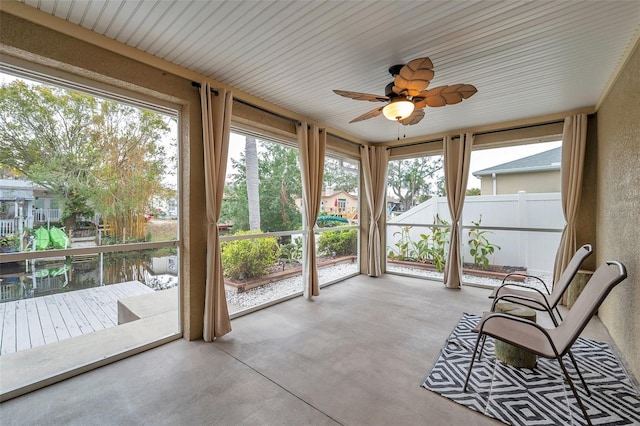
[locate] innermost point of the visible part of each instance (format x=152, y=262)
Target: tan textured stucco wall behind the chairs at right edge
x=618, y=205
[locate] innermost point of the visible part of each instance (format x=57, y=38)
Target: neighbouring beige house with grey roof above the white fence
x=533, y=174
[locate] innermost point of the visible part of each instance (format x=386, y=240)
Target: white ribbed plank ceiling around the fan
x=526, y=58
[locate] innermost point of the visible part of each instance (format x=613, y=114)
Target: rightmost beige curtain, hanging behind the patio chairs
x=574, y=141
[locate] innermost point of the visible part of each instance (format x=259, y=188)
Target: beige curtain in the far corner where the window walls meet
x=374, y=161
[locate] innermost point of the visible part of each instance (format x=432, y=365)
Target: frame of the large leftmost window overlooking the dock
x=106, y=88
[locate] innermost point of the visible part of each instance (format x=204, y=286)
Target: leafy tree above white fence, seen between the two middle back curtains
x=415, y=180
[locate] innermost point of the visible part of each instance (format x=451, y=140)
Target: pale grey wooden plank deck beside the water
x=28, y=323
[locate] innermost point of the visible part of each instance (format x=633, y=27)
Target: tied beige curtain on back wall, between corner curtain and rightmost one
x=457, y=155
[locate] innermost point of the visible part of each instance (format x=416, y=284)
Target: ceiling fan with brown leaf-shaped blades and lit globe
x=407, y=95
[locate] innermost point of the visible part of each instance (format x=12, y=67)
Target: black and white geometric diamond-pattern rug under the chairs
x=539, y=396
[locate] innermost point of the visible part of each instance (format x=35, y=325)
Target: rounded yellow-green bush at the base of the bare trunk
x=249, y=258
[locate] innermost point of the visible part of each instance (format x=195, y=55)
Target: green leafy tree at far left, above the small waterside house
x=46, y=135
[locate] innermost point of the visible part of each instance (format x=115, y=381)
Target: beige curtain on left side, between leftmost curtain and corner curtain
x=311, y=146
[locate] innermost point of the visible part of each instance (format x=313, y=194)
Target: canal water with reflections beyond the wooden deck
x=36, y=278
